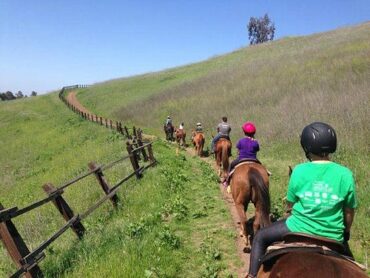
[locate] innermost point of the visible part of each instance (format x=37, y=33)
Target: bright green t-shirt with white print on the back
x=320, y=192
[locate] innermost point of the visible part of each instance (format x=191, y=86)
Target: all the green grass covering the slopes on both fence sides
x=173, y=221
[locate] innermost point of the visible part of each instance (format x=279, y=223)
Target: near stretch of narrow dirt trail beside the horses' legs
x=244, y=257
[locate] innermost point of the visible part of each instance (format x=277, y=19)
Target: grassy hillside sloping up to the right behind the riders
x=281, y=86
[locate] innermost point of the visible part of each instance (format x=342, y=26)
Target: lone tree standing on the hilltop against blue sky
x=260, y=29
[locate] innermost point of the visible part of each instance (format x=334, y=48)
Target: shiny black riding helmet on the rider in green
x=318, y=138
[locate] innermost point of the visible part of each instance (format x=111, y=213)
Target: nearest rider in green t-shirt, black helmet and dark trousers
x=321, y=195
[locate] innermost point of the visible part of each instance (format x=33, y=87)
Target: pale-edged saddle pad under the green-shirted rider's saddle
x=278, y=249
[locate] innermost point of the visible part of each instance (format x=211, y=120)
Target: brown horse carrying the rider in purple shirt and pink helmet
x=250, y=183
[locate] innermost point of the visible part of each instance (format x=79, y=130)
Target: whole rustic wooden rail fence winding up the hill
x=27, y=261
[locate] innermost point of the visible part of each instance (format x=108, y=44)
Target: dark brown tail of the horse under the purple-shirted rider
x=263, y=195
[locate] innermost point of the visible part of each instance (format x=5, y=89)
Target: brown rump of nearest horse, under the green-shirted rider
x=307, y=265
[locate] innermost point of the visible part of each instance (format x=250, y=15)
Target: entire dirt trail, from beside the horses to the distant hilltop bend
x=244, y=257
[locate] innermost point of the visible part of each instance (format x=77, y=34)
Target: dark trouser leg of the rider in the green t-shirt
x=262, y=240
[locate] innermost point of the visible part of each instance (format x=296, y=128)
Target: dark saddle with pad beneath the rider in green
x=305, y=243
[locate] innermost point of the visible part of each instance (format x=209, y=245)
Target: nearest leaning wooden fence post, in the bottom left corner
x=16, y=247
